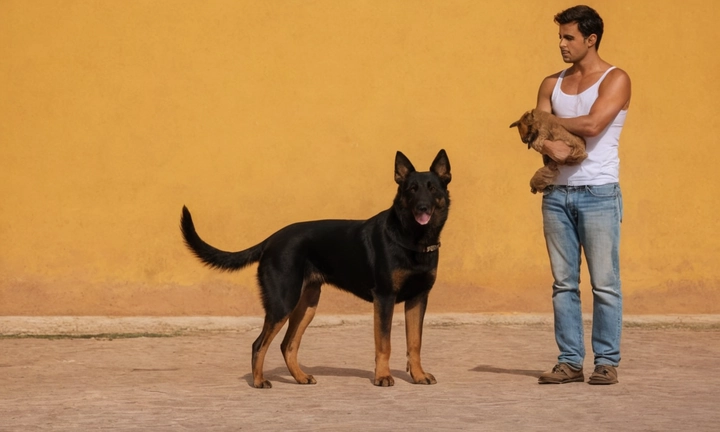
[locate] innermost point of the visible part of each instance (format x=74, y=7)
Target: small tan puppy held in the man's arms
x=535, y=127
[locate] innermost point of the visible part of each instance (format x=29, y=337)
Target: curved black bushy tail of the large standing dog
x=211, y=256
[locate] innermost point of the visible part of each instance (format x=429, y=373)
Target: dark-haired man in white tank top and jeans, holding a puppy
x=582, y=211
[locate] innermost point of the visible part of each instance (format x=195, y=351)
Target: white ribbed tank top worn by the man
x=603, y=163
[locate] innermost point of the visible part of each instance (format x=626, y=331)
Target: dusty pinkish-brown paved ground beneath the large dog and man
x=487, y=366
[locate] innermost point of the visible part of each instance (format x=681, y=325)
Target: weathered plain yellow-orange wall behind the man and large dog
x=113, y=114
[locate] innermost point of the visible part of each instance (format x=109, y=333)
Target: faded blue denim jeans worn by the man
x=585, y=218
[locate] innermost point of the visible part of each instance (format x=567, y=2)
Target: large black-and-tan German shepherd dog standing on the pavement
x=387, y=259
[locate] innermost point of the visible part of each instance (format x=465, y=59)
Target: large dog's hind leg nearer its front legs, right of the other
x=299, y=320
